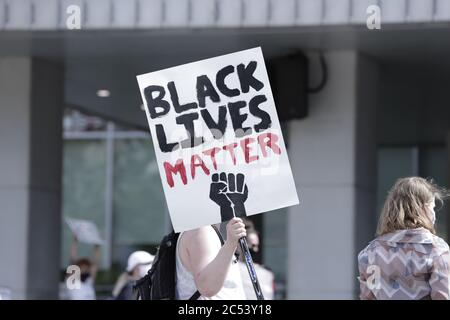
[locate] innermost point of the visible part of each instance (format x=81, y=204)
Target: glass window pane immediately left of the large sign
x=139, y=203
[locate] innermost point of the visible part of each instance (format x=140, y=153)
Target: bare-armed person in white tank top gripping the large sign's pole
x=205, y=266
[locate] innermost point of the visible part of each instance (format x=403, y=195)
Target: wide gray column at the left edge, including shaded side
x=31, y=94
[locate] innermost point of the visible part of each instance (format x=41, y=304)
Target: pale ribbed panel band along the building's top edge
x=126, y=14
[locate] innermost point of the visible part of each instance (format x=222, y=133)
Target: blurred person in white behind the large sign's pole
x=265, y=276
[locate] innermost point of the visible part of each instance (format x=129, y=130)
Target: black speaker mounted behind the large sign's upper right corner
x=288, y=76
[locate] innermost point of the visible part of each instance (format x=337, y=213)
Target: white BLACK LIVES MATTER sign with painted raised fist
x=217, y=139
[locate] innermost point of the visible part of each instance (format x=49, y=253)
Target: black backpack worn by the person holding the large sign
x=160, y=281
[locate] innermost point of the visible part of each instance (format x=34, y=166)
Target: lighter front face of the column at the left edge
x=15, y=75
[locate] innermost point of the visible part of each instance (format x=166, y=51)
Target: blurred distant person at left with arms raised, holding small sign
x=88, y=268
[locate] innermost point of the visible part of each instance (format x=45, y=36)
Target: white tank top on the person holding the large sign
x=232, y=287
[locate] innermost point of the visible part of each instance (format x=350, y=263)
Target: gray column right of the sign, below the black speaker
x=333, y=154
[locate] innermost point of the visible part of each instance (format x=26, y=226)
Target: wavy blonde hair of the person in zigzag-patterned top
x=405, y=206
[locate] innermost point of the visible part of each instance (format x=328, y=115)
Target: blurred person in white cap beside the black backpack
x=139, y=262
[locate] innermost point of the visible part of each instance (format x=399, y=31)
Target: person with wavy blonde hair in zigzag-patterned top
x=407, y=261
